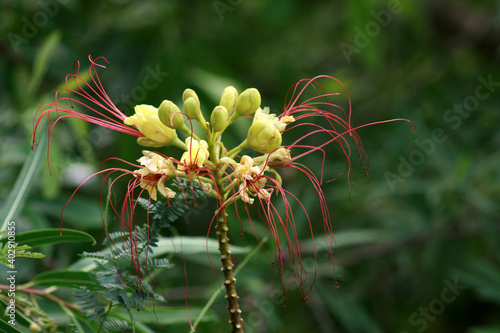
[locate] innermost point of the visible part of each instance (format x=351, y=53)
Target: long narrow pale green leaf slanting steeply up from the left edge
x=26, y=178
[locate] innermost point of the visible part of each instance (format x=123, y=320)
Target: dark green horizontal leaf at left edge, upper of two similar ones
x=52, y=236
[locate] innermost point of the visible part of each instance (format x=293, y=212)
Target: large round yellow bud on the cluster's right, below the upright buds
x=263, y=136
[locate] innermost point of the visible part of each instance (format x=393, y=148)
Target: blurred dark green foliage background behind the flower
x=418, y=238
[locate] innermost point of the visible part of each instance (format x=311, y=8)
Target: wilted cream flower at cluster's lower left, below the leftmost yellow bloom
x=157, y=169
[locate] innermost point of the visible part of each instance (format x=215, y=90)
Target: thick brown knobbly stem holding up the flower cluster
x=227, y=269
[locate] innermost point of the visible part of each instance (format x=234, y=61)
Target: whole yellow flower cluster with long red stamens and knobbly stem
x=246, y=173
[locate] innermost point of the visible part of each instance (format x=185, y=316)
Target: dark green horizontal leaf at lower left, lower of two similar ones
x=64, y=278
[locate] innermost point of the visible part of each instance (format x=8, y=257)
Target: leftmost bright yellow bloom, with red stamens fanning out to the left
x=146, y=120
